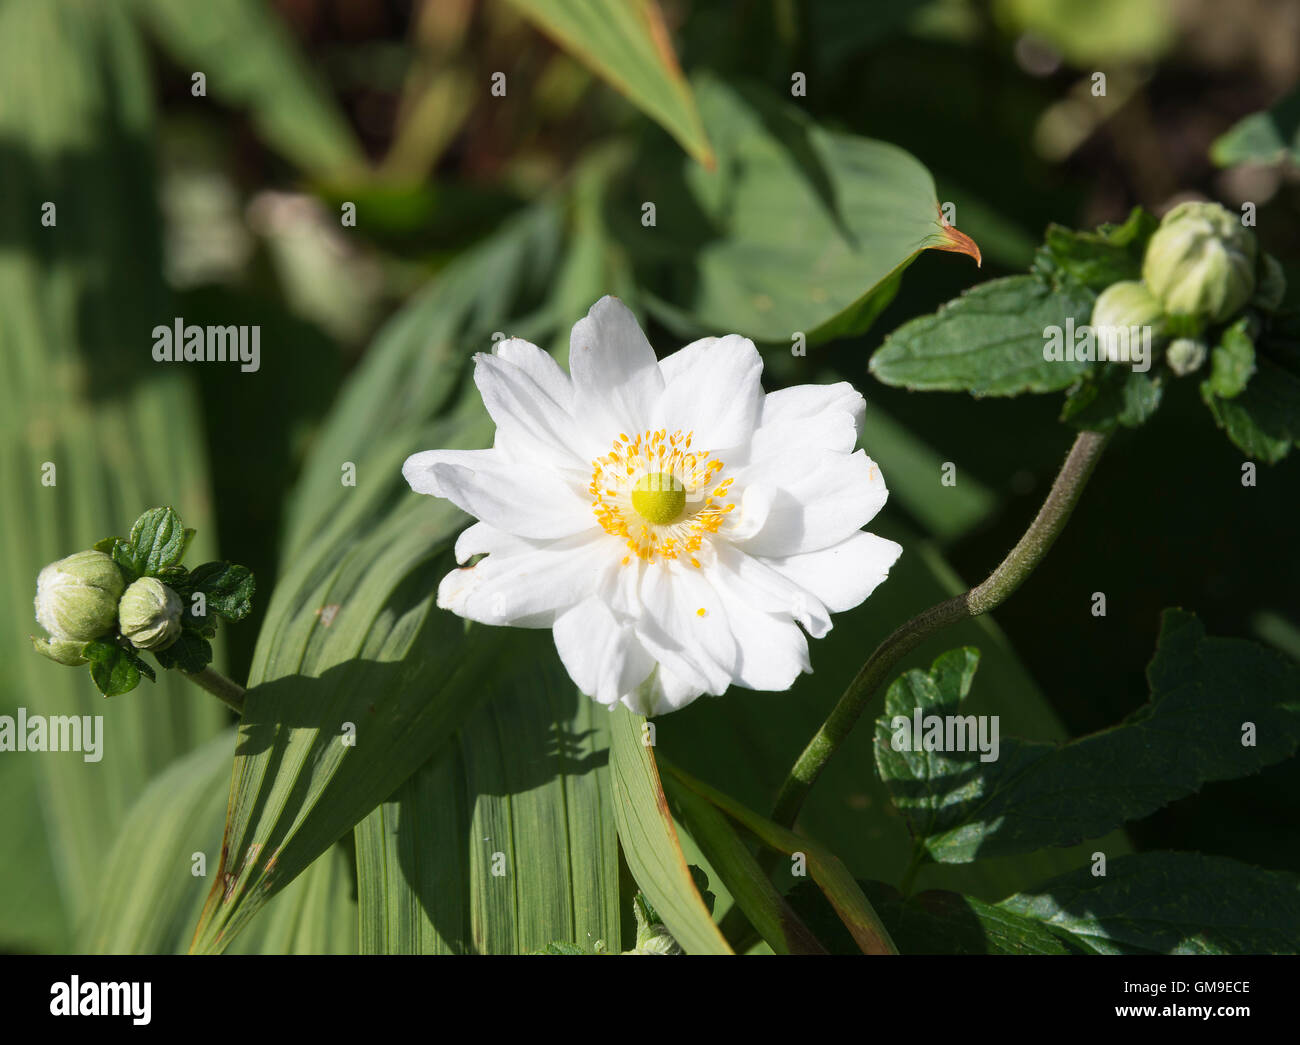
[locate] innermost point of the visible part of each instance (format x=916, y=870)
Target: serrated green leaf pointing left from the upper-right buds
x=989, y=342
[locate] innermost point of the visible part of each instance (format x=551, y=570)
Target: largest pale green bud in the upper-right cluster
x=1201, y=262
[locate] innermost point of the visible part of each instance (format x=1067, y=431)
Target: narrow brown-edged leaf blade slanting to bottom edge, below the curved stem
x=825, y=868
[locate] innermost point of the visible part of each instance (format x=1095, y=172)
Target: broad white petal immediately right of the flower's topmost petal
x=713, y=388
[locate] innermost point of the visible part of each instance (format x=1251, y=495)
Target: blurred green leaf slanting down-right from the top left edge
x=250, y=60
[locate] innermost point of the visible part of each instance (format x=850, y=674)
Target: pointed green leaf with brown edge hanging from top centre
x=627, y=44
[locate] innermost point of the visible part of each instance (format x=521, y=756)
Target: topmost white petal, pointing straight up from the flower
x=617, y=380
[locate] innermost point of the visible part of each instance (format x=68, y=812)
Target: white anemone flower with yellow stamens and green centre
x=670, y=523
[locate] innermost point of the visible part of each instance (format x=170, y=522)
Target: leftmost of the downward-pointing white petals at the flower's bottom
x=601, y=656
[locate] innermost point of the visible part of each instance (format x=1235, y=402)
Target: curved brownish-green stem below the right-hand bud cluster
x=1000, y=584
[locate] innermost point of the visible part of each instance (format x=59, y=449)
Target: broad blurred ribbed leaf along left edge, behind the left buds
x=92, y=430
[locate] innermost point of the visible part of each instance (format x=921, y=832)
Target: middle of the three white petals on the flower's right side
x=821, y=500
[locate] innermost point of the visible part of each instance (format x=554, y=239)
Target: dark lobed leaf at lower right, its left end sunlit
x=1204, y=693
